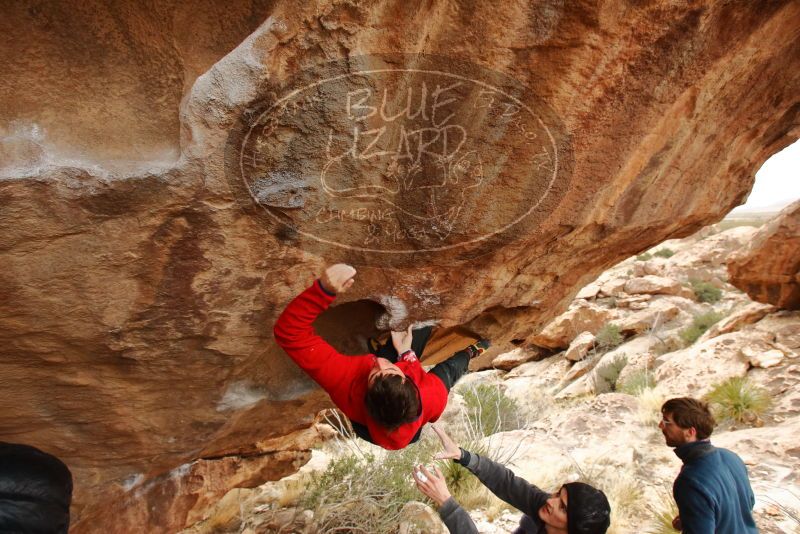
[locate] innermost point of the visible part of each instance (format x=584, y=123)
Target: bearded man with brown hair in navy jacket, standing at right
x=713, y=490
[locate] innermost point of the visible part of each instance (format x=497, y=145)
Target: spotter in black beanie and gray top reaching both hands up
x=576, y=508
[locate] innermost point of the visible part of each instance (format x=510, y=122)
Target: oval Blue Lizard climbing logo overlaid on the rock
x=373, y=158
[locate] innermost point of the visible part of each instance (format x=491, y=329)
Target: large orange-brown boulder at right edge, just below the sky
x=768, y=269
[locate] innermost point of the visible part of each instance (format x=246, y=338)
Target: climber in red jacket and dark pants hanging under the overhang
x=388, y=402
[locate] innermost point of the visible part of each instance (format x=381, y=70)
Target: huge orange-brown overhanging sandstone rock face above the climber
x=173, y=173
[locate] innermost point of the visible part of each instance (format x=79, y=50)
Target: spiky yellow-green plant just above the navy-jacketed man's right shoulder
x=739, y=400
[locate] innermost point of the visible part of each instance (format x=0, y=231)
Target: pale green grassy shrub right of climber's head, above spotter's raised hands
x=489, y=410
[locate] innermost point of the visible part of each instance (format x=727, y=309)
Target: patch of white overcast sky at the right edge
x=778, y=180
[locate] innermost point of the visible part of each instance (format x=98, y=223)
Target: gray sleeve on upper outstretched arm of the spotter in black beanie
x=514, y=490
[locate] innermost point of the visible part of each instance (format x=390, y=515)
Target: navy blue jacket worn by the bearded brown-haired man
x=712, y=491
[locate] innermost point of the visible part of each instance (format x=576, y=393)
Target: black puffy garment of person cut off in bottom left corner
x=35, y=491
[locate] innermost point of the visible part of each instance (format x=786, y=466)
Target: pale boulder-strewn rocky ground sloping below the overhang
x=584, y=415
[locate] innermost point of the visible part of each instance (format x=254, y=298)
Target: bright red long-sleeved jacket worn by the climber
x=345, y=377
